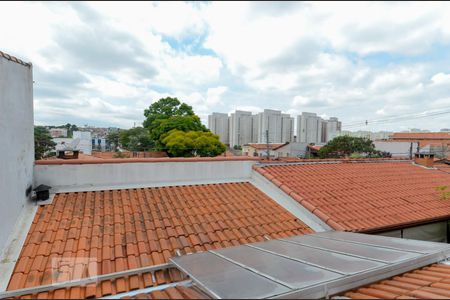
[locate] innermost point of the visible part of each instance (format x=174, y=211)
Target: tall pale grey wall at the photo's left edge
x=16, y=142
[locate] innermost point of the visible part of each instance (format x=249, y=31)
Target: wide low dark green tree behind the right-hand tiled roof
x=343, y=146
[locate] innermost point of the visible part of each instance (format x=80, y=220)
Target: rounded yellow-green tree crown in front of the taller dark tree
x=192, y=143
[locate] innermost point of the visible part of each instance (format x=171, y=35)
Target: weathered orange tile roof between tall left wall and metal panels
x=133, y=228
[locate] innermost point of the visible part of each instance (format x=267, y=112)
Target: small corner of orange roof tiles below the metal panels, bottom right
x=431, y=282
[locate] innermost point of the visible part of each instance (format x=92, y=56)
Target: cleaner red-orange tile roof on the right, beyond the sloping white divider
x=364, y=197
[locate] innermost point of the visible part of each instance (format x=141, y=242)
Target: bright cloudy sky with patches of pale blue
x=102, y=64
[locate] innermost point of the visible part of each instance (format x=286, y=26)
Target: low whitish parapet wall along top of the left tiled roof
x=76, y=177
